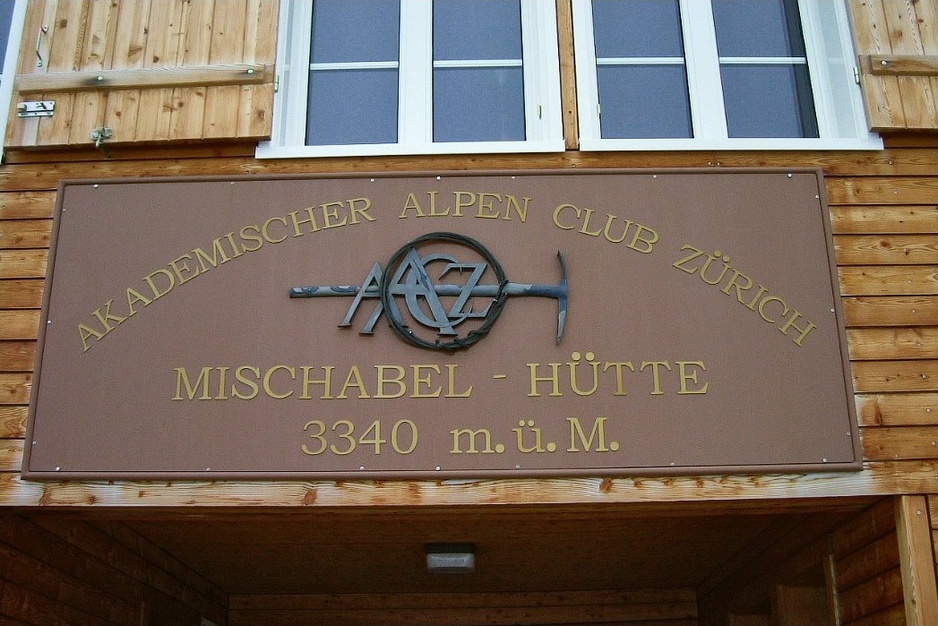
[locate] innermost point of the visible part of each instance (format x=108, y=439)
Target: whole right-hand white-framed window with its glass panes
x=716, y=74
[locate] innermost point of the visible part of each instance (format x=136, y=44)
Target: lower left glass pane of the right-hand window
x=641, y=102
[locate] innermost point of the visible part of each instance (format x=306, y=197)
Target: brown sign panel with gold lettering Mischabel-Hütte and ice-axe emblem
x=442, y=325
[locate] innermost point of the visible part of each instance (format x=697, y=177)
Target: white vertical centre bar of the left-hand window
x=415, y=96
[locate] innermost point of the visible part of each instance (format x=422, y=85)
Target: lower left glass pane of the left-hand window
x=352, y=106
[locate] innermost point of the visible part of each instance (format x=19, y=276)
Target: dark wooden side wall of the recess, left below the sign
x=56, y=571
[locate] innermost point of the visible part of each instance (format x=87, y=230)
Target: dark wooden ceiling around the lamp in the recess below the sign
x=518, y=549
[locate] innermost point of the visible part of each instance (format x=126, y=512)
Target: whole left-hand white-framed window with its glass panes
x=363, y=77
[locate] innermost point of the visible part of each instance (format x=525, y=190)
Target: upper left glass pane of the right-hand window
x=638, y=28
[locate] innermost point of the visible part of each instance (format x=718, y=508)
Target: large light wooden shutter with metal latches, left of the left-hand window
x=146, y=70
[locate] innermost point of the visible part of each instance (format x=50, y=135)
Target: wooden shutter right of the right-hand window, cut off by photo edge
x=897, y=43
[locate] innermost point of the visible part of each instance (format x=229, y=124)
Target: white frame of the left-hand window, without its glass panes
x=542, y=100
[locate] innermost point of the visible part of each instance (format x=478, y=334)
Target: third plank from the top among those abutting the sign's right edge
x=886, y=249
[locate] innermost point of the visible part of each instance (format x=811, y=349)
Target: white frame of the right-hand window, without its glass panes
x=840, y=113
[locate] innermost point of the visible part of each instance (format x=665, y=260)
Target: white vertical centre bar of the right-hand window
x=703, y=70
